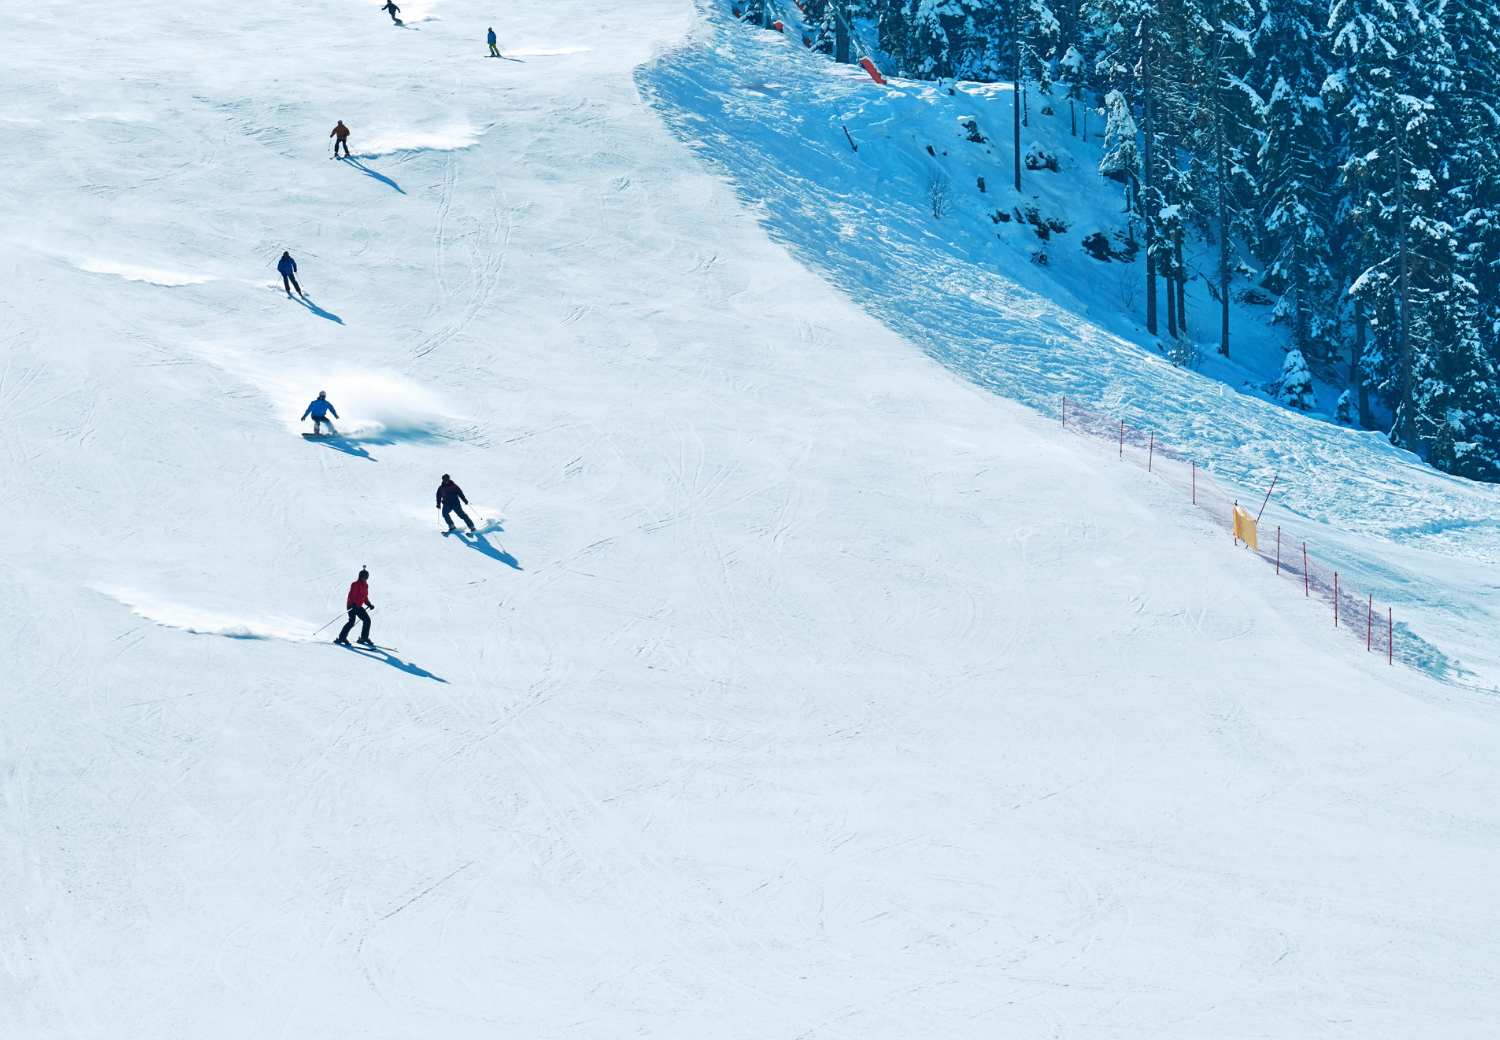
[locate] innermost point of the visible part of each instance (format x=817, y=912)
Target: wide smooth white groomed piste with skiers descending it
x=794, y=688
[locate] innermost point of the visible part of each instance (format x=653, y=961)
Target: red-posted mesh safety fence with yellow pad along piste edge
x=1307, y=574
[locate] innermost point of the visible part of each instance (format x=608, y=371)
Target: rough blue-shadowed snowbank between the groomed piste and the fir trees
x=772, y=116
